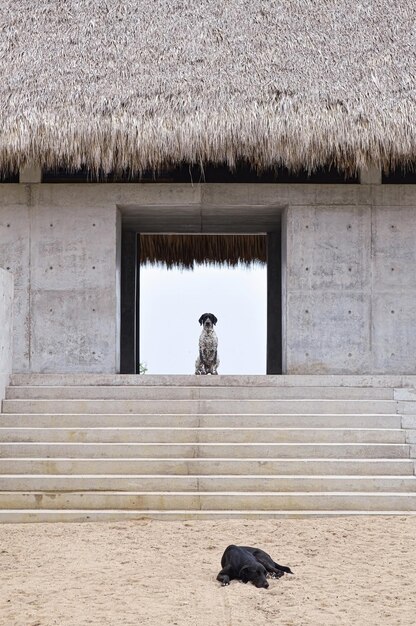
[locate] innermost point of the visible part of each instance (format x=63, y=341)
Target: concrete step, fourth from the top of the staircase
x=84, y=420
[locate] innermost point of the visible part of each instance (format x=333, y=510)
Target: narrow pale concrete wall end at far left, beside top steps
x=6, y=324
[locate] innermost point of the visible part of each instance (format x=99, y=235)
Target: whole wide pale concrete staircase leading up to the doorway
x=100, y=447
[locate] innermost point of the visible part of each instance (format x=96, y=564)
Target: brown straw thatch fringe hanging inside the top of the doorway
x=186, y=251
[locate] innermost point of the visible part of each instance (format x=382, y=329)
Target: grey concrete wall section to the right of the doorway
x=351, y=287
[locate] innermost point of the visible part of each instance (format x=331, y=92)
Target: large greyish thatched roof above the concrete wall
x=136, y=84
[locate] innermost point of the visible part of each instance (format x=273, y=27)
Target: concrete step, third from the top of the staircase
x=201, y=406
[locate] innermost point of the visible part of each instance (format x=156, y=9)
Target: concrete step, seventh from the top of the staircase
x=209, y=467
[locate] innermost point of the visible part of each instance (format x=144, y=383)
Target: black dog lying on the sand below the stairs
x=249, y=564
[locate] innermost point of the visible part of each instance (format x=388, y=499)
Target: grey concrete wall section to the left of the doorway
x=63, y=252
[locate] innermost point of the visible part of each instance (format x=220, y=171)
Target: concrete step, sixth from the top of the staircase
x=205, y=450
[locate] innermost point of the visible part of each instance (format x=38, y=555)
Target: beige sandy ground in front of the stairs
x=347, y=571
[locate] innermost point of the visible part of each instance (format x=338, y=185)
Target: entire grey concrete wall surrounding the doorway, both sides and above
x=350, y=284
